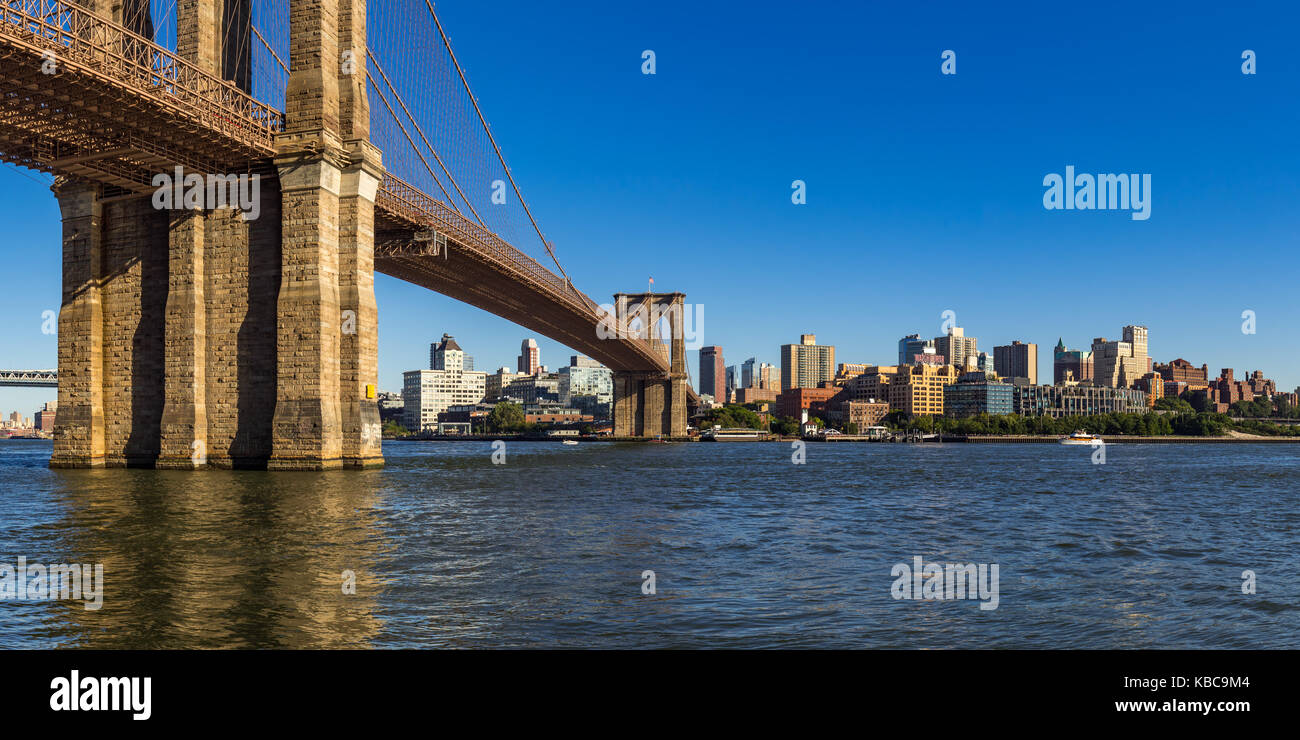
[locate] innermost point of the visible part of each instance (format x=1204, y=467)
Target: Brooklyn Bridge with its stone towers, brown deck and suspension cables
x=196, y=335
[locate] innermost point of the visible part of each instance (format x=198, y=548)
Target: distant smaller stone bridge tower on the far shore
x=653, y=404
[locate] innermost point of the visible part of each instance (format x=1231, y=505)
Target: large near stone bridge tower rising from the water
x=196, y=339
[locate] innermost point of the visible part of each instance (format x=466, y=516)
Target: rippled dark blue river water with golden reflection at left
x=444, y=548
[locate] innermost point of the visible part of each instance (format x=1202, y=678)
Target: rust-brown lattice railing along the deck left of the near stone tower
x=76, y=36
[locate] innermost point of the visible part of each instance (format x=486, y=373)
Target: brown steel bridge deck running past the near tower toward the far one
x=120, y=110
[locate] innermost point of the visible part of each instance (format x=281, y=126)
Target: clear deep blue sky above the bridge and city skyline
x=925, y=192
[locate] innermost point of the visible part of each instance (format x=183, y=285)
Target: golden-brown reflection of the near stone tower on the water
x=222, y=560
